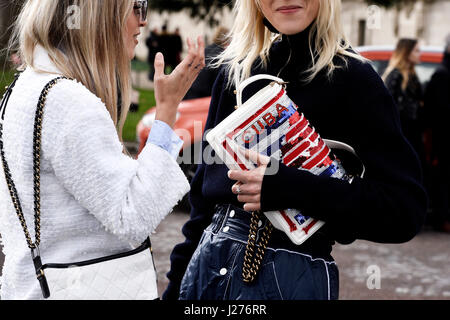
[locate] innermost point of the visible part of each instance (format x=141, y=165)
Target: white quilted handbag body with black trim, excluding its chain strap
x=129, y=276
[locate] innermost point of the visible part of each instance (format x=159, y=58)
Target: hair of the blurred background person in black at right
x=400, y=60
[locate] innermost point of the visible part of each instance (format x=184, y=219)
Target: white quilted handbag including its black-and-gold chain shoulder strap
x=124, y=276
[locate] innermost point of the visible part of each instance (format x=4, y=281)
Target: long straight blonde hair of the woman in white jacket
x=93, y=53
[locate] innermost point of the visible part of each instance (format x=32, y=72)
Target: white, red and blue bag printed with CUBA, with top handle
x=271, y=124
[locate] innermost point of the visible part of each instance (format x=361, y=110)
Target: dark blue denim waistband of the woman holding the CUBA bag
x=233, y=222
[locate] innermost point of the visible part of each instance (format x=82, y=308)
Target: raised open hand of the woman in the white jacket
x=171, y=89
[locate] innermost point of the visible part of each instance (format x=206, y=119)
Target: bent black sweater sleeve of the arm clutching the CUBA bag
x=388, y=205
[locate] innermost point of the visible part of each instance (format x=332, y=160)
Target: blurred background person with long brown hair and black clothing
x=404, y=85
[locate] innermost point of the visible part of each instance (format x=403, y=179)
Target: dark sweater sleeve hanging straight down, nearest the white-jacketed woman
x=201, y=209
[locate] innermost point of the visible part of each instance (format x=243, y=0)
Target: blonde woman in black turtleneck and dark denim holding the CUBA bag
x=345, y=100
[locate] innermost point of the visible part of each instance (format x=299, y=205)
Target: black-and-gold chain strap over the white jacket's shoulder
x=37, y=135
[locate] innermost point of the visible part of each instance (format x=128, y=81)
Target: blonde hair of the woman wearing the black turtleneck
x=251, y=40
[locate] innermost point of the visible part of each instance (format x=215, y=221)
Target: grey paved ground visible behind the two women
x=418, y=269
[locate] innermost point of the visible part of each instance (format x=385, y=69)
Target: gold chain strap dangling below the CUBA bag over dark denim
x=254, y=253
